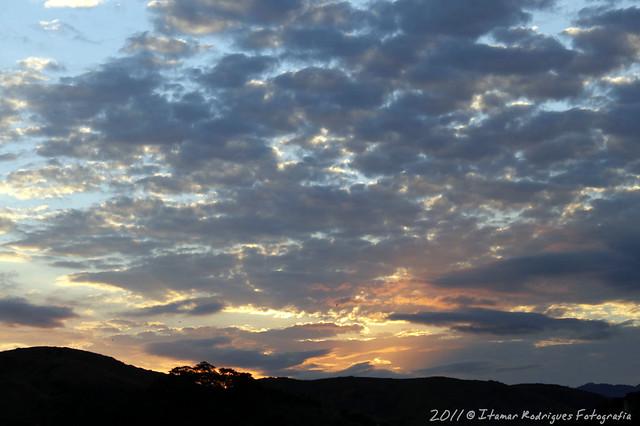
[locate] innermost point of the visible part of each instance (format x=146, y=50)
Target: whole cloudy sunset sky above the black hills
x=317, y=188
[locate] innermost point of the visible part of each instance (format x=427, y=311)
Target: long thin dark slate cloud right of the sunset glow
x=486, y=321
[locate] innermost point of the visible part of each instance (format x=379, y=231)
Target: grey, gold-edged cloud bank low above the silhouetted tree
x=274, y=351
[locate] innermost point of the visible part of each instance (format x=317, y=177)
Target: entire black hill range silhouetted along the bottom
x=59, y=386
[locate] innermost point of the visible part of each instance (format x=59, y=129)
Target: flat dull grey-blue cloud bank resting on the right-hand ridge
x=521, y=360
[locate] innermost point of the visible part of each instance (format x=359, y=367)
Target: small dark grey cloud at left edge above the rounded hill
x=20, y=312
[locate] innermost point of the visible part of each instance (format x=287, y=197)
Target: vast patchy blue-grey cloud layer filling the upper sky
x=390, y=142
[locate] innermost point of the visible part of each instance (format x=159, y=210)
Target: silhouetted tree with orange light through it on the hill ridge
x=208, y=375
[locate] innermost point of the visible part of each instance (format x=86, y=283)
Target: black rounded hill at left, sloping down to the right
x=60, y=386
